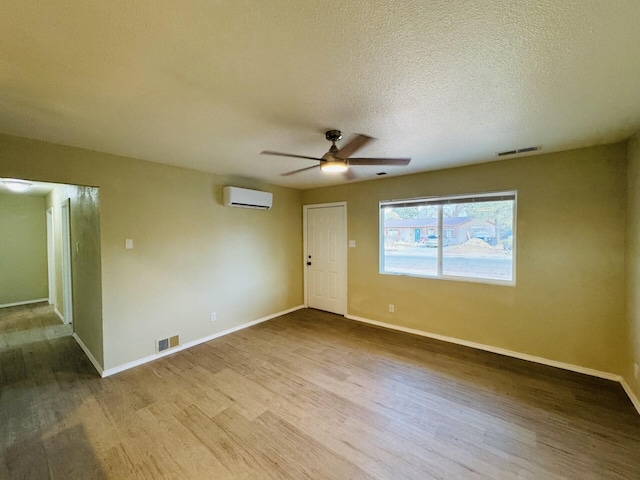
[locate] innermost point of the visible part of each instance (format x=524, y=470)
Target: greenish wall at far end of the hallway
x=23, y=248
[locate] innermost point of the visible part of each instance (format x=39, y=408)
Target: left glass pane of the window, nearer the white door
x=408, y=234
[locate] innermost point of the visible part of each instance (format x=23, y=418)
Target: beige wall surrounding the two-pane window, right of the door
x=568, y=304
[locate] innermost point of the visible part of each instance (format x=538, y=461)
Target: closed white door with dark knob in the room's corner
x=326, y=265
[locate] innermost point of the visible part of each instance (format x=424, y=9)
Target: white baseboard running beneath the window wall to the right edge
x=509, y=353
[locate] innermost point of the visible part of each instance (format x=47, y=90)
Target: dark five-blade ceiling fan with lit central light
x=339, y=160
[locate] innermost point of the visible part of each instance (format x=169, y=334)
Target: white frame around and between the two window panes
x=439, y=201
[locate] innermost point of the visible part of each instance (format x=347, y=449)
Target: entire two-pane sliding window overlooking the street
x=470, y=237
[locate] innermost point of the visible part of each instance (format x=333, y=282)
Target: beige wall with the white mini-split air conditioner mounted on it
x=192, y=255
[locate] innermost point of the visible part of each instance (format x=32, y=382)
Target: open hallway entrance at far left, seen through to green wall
x=38, y=262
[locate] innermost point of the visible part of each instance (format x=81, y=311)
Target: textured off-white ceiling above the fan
x=209, y=84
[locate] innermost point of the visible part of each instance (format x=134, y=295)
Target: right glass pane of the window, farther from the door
x=480, y=245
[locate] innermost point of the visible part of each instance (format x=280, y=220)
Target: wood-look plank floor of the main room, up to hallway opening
x=310, y=395
